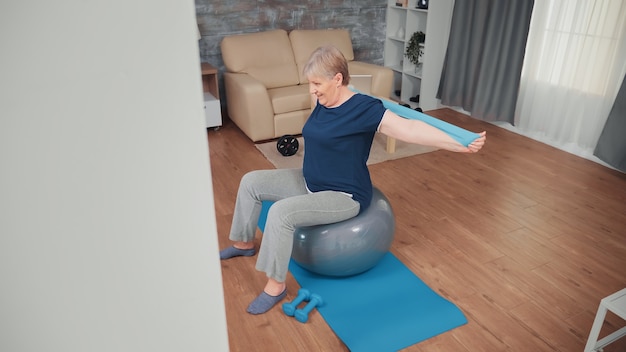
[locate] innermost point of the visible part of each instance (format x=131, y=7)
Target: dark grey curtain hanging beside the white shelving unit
x=483, y=63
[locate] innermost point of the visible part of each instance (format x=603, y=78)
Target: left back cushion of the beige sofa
x=266, y=56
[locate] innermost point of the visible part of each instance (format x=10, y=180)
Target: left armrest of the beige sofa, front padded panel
x=249, y=106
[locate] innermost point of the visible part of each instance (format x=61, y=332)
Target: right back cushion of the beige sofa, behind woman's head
x=305, y=41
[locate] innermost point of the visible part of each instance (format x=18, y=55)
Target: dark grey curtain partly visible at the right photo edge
x=611, y=146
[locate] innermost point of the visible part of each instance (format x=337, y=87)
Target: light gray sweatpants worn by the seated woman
x=294, y=207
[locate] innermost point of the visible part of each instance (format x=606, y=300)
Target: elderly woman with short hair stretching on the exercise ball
x=334, y=183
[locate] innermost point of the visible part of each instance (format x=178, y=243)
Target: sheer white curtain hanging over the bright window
x=573, y=67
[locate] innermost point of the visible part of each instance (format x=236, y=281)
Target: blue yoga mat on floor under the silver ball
x=387, y=308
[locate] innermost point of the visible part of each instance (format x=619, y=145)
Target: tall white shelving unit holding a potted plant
x=402, y=22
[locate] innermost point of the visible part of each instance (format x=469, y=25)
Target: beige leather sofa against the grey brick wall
x=266, y=94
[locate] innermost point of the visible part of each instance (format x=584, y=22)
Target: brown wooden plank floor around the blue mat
x=525, y=239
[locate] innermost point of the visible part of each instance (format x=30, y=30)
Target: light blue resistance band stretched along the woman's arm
x=461, y=135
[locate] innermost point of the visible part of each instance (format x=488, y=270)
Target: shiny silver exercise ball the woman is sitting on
x=348, y=247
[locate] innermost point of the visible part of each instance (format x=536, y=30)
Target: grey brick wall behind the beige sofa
x=365, y=19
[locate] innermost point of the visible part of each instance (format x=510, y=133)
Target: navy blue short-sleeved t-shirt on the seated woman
x=337, y=145
